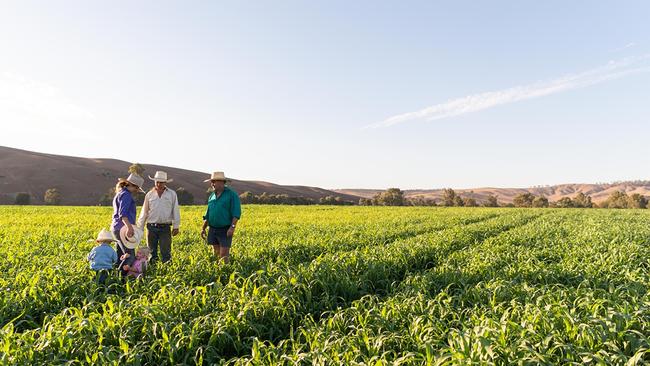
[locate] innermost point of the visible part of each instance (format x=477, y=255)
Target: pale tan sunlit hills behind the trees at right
x=598, y=192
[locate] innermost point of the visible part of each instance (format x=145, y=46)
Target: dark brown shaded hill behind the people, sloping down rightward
x=83, y=181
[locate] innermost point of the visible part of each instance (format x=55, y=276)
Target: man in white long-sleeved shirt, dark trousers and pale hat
x=162, y=215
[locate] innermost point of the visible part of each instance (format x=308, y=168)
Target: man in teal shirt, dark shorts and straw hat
x=221, y=216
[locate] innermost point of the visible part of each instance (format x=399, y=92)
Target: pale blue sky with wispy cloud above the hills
x=336, y=94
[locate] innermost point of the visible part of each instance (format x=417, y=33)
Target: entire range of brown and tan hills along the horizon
x=83, y=181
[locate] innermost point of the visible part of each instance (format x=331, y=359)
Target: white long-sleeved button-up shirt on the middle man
x=160, y=209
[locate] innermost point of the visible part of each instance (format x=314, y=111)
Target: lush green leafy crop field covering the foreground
x=337, y=285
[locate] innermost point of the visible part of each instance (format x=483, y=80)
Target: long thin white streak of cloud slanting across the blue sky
x=477, y=102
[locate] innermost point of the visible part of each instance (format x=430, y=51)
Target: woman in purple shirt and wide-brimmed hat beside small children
x=124, y=211
